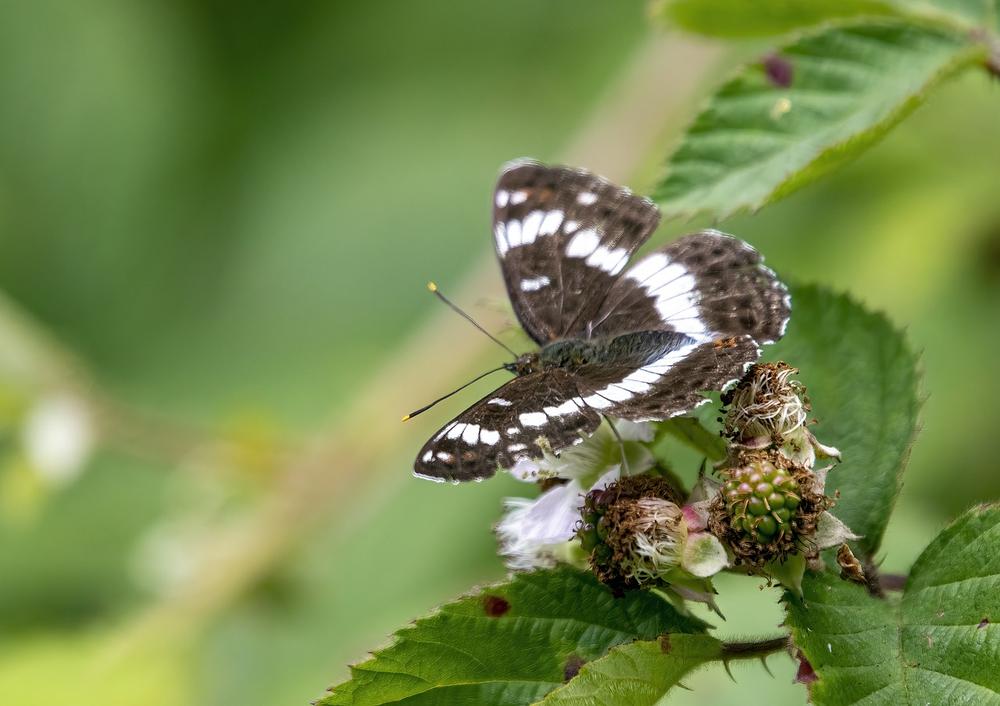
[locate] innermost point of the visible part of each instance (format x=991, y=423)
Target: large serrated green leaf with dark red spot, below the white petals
x=510, y=643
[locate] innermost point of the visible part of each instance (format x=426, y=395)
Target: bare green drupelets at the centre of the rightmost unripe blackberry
x=761, y=500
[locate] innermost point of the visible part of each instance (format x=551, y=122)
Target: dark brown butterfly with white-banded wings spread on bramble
x=629, y=340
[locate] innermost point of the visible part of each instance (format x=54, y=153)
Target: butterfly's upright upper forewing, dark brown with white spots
x=563, y=236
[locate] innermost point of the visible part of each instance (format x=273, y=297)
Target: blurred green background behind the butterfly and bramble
x=216, y=221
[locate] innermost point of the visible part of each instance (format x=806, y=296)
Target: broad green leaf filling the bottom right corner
x=937, y=644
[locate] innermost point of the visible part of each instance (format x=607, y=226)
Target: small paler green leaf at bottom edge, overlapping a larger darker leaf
x=637, y=674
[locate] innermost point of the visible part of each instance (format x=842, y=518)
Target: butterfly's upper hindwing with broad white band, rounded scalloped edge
x=707, y=285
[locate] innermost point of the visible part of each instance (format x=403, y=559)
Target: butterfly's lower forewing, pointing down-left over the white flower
x=505, y=426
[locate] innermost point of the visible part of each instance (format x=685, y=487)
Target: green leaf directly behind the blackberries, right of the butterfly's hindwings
x=862, y=381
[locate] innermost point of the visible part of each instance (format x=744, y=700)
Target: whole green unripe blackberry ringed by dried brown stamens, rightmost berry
x=767, y=508
